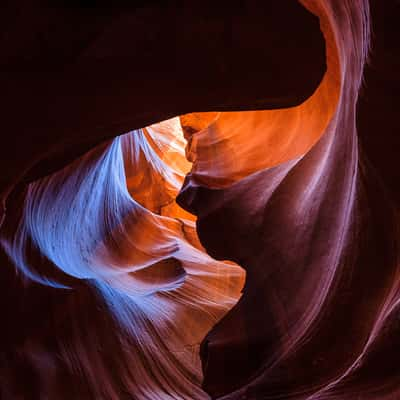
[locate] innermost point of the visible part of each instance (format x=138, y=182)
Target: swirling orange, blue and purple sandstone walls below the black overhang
x=247, y=254
